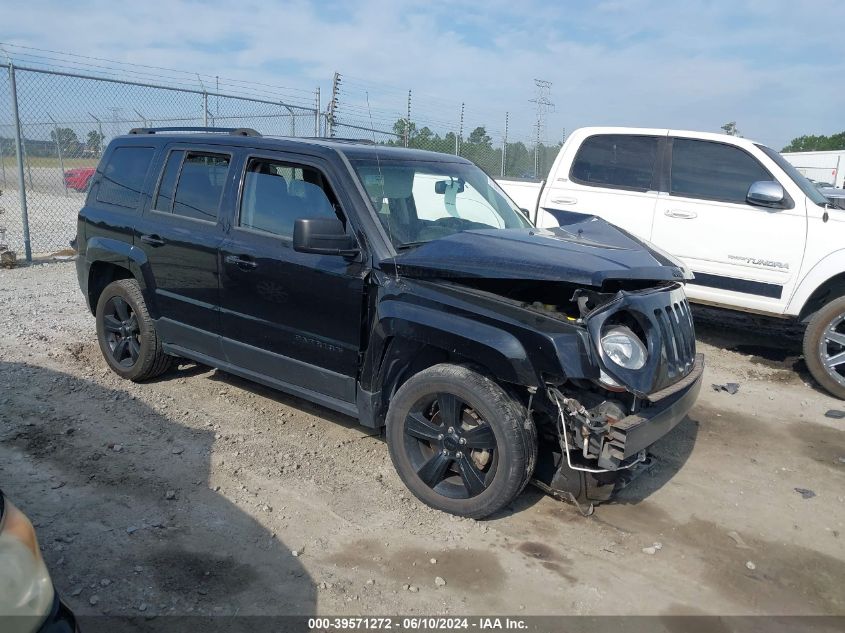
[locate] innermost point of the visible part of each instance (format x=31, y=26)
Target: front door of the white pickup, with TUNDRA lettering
x=741, y=254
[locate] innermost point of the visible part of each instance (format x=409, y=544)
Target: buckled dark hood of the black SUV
x=586, y=251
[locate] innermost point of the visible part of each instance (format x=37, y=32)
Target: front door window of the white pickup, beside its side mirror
x=712, y=170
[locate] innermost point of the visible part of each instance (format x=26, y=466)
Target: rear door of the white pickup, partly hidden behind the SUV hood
x=612, y=176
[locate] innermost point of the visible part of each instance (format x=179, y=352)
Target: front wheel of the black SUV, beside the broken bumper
x=459, y=442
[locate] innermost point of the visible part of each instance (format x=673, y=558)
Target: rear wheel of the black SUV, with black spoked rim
x=126, y=333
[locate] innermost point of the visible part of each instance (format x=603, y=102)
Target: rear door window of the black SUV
x=200, y=186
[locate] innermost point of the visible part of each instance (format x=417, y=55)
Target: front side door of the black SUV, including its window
x=292, y=317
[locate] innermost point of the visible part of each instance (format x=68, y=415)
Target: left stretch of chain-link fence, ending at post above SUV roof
x=65, y=121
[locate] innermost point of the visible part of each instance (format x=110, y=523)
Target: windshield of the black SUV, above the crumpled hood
x=421, y=201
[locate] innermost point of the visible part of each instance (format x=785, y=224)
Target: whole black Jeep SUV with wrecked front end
x=399, y=287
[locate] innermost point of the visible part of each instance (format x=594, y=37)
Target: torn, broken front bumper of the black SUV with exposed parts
x=600, y=453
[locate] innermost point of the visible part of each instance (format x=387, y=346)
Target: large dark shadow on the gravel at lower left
x=128, y=516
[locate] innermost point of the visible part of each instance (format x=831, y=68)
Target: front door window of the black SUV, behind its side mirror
x=275, y=194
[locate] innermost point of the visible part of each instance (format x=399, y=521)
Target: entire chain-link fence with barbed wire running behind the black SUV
x=54, y=126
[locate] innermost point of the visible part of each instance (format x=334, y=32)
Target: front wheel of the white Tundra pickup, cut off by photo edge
x=824, y=347
